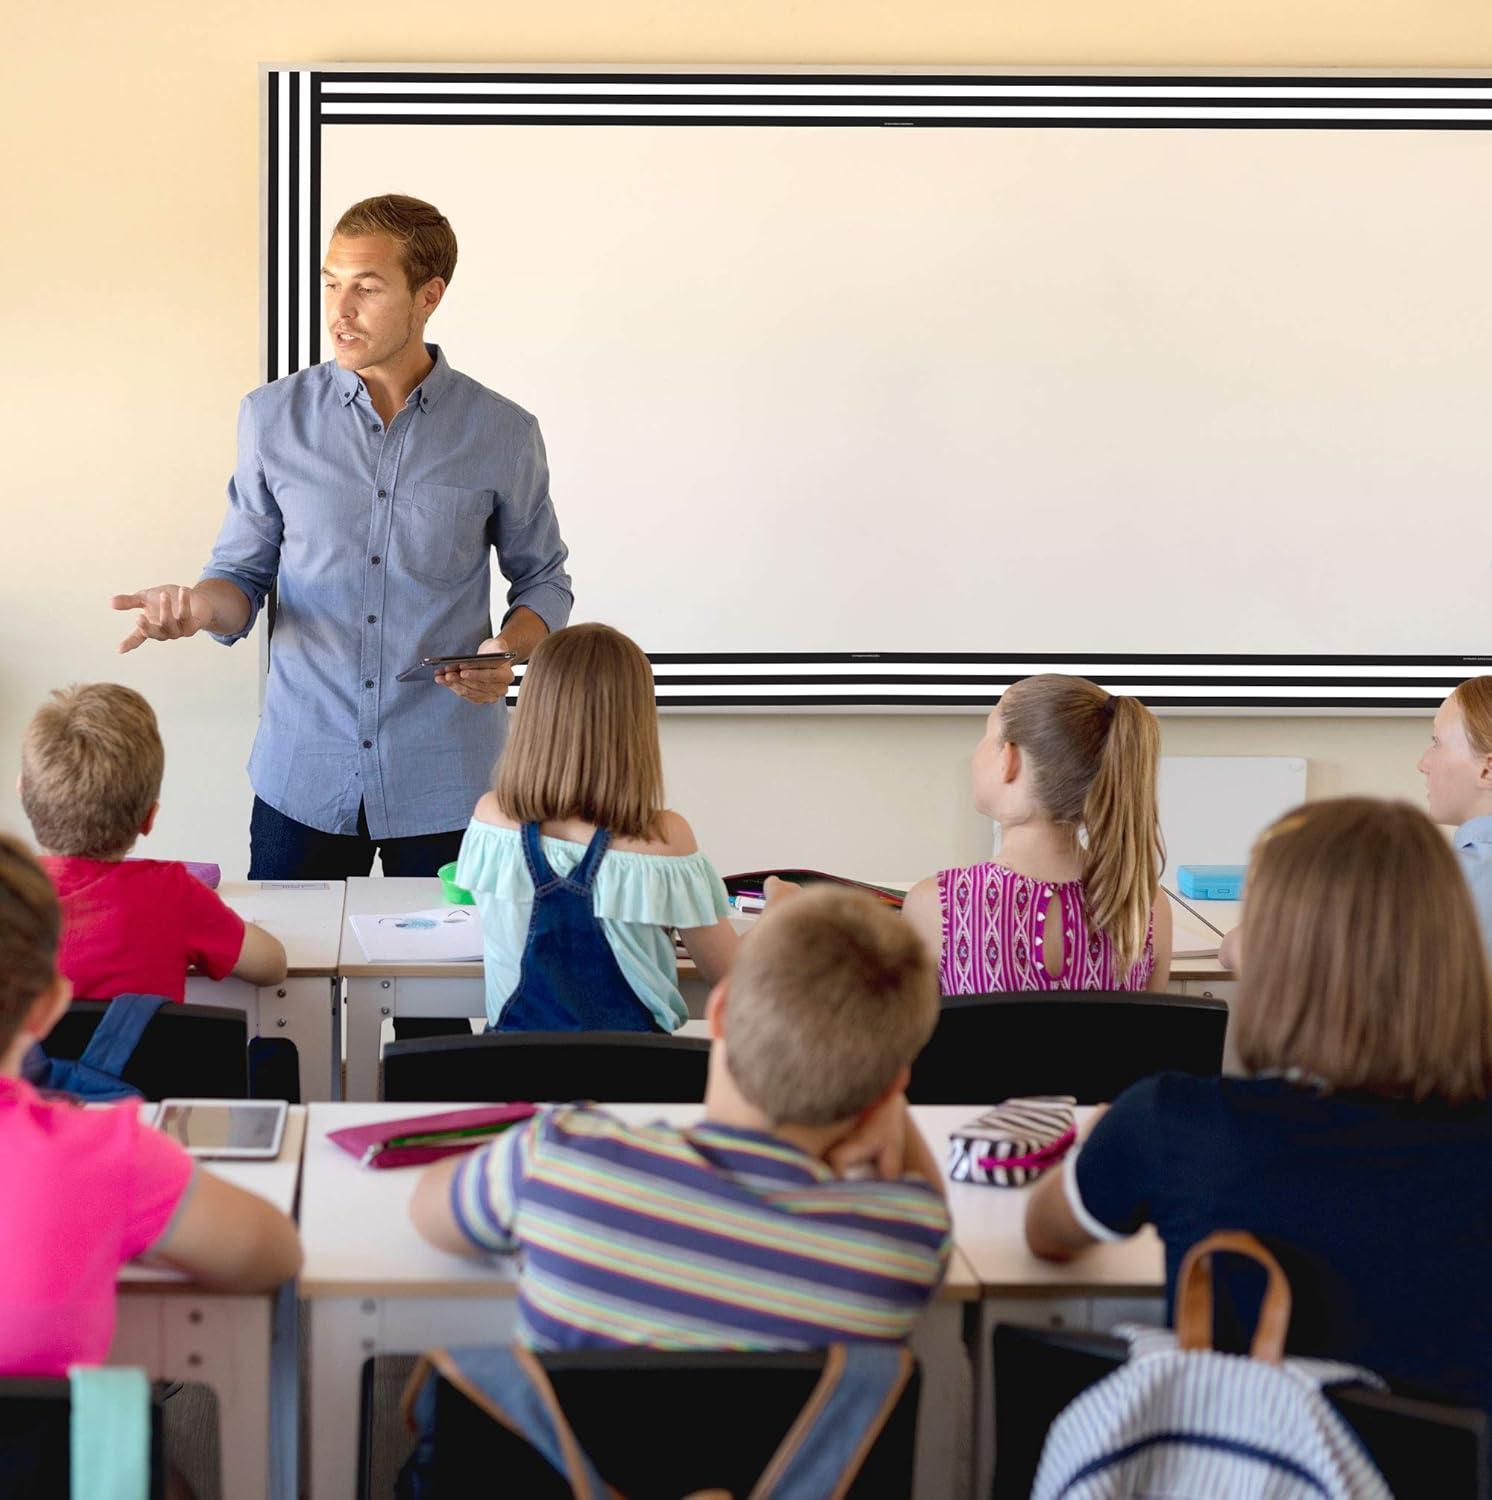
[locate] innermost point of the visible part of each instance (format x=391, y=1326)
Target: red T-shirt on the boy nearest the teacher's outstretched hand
x=137, y=926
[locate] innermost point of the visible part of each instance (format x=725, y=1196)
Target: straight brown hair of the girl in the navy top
x=1362, y=962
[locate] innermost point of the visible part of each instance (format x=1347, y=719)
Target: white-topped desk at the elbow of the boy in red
x=305, y=1007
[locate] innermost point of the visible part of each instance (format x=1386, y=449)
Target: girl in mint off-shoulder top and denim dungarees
x=578, y=872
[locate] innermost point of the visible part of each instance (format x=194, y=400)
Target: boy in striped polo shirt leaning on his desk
x=804, y=1210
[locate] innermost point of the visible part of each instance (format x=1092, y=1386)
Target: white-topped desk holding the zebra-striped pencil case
x=1106, y=1286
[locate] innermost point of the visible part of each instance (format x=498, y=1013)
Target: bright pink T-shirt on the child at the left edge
x=85, y=1190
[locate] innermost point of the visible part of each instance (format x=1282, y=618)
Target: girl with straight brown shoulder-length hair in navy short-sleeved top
x=1359, y=1147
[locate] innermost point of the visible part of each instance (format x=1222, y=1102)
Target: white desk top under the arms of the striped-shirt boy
x=355, y=1222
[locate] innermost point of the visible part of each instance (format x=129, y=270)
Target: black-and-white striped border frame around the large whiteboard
x=299, y=101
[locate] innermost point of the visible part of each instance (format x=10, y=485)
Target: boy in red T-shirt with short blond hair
x=91, y=785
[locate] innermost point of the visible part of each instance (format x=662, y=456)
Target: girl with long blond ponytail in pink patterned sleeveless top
x=1073, y=902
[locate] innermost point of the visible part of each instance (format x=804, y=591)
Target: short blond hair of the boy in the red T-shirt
x=91, y=770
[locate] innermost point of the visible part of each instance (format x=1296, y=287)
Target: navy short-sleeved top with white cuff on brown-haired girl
x=1380, y=1213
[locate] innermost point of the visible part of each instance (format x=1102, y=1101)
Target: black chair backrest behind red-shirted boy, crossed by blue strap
x=187, y=1052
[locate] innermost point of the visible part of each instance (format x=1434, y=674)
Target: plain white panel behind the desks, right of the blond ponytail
x=1215, y=806
